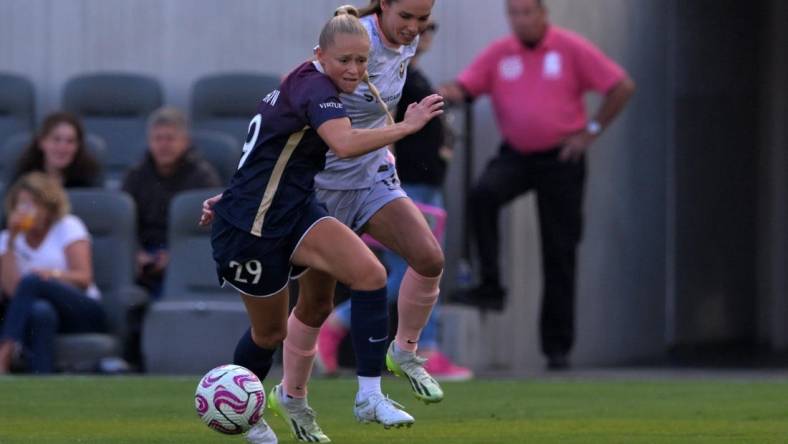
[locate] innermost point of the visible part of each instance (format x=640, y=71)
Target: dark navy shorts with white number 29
x=260, y=266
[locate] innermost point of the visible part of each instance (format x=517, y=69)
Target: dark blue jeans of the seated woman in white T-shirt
x=40, y=309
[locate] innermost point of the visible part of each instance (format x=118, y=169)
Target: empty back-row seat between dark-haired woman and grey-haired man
x=116, y=107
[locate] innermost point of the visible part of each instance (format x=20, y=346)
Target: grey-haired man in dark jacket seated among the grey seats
x=170, y=166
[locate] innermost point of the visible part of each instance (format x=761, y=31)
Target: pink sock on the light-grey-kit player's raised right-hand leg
x=417, y=296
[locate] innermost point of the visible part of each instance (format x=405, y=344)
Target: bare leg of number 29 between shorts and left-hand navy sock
x=268, y=316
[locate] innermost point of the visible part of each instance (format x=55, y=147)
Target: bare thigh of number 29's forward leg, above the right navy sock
x=333, y=248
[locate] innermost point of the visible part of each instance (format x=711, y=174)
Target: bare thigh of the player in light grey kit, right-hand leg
x=401, y=227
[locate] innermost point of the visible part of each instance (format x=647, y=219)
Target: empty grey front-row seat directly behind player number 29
x=196, y=324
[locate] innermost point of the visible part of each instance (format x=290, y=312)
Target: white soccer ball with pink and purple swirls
x=230, y=399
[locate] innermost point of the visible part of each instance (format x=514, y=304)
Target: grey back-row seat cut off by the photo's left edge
x=17, y=109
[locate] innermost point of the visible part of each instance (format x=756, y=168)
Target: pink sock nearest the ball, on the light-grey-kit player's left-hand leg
x=299, y=351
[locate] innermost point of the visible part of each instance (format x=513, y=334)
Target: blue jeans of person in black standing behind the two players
x=397, y=267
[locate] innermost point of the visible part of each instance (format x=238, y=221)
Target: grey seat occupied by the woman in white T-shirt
x=110, y=219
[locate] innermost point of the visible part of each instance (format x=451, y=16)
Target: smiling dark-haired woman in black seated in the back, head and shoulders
x=59, y=151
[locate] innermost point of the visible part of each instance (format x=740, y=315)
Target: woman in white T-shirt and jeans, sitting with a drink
x=46, y=273
